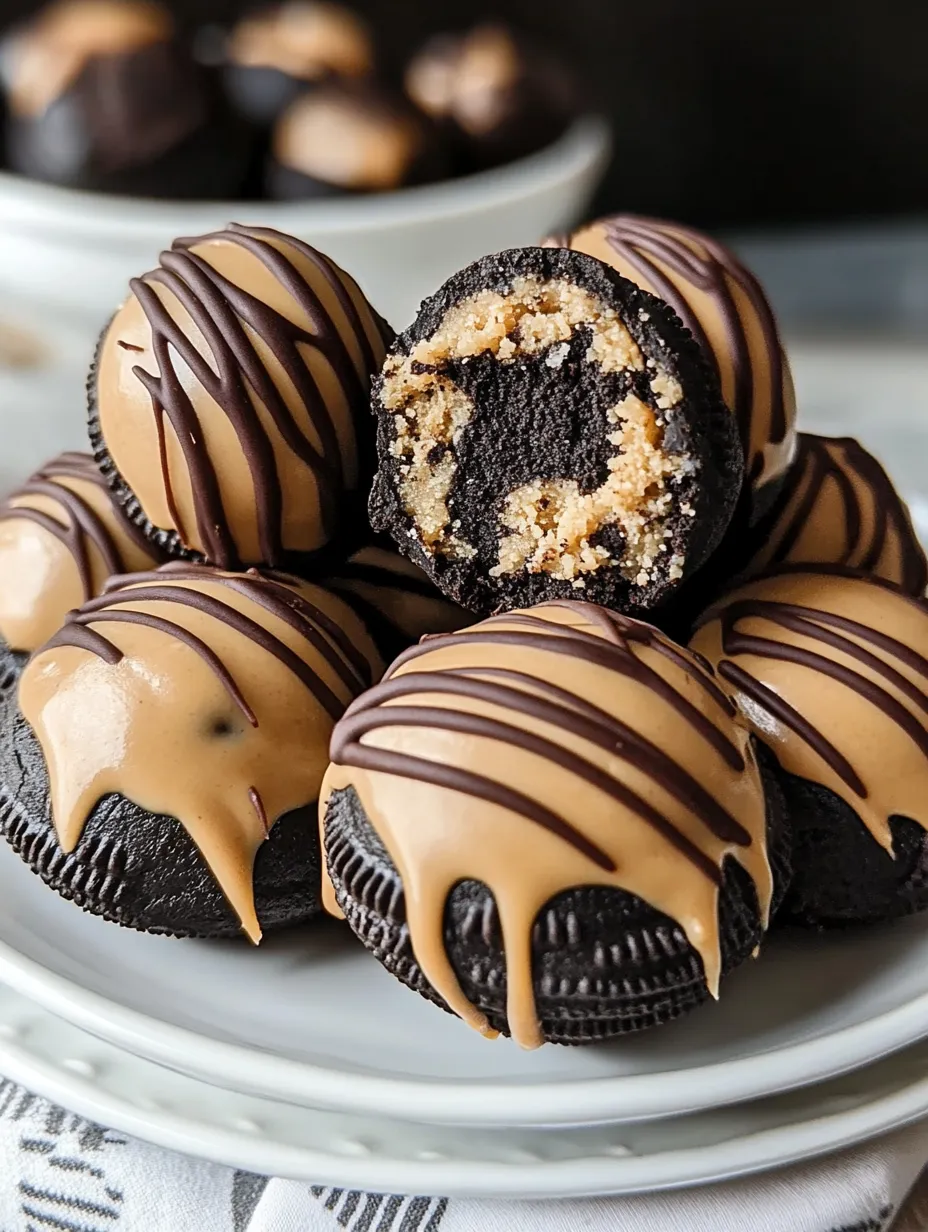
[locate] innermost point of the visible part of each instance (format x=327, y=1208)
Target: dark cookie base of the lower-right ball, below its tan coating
x=841, y=875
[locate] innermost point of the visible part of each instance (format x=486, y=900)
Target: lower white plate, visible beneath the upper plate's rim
x=362, y=1153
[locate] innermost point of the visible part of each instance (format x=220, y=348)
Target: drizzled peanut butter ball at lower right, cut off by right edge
x=830, y=670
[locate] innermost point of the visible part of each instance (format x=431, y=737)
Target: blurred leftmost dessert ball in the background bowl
x=102, y=95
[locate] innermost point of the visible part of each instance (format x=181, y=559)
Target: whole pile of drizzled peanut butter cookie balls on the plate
x=660, y=665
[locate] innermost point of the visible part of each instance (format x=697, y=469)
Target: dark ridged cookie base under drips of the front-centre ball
x=604, y=962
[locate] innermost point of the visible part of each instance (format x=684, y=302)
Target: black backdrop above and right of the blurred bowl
x=728, y=113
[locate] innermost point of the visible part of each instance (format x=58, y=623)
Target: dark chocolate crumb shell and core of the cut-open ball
x=540, y=421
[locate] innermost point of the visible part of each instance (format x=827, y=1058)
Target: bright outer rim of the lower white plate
x=809, y=1137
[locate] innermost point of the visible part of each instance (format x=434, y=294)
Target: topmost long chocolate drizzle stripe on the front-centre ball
x=590, y=649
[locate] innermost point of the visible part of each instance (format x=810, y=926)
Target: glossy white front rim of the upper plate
x=465, y=1103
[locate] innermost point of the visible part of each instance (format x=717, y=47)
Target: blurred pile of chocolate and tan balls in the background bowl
x=290, y=103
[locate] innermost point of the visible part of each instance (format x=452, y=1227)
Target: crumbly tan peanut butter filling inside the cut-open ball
x=549, y=525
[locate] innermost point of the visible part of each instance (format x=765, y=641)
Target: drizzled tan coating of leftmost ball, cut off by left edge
x=62, y=537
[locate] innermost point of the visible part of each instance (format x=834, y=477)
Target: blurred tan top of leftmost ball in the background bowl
x=49, y=56
